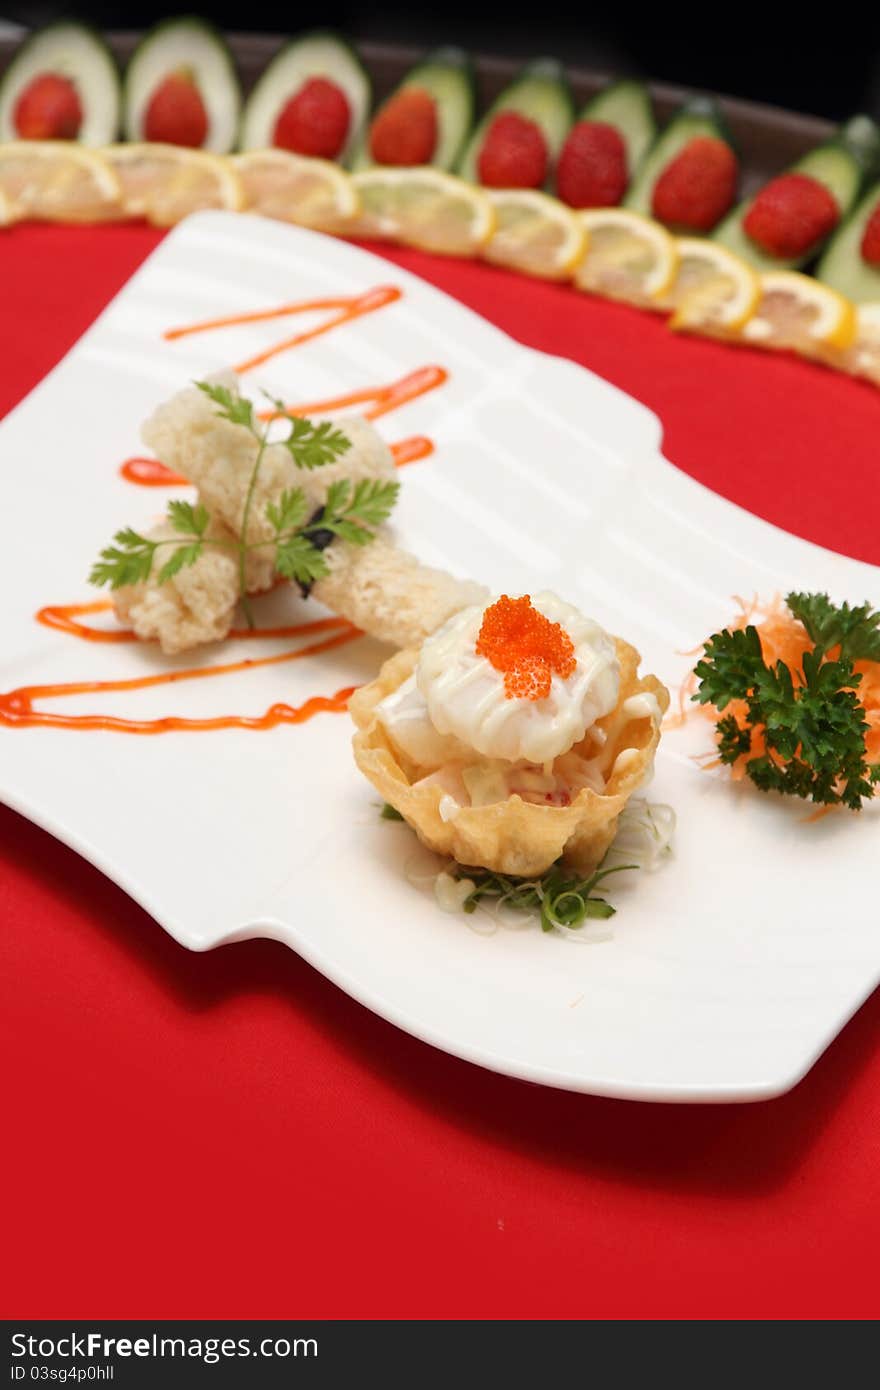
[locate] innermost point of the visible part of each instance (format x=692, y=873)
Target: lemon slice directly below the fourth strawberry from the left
x=425, y=208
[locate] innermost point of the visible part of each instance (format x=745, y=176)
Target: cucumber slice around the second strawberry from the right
x=840, y=163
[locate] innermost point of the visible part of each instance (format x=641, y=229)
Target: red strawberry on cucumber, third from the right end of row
x=699, y=187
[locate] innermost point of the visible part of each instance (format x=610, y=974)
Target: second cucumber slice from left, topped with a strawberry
x=181, y=88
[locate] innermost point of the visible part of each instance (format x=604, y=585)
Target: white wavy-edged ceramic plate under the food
x=729, y=971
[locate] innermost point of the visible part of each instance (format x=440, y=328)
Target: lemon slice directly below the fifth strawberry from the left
x=535, y=234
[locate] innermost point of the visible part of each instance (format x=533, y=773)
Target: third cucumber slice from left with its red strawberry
x=312, y=99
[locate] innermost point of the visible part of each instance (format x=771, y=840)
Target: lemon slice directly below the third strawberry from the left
x=297, y=190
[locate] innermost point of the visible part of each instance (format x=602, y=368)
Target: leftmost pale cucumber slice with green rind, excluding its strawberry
x=80, y=55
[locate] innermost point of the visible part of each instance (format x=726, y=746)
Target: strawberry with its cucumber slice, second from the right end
x=786, y=224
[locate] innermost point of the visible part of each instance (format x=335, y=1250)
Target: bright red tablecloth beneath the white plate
x=231, y=1136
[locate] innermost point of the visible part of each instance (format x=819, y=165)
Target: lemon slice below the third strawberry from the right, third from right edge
x=714, y=287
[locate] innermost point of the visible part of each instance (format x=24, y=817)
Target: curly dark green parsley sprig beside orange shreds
x=813, y=723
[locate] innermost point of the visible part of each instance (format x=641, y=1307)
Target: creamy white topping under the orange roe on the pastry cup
x=465, y=696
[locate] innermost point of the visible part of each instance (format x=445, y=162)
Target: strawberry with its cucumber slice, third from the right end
x=689, y=177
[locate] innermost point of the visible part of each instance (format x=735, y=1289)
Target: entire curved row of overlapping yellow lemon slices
x=610, y=252
